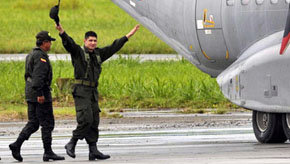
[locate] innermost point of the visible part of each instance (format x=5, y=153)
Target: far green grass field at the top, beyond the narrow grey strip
x=21, y=20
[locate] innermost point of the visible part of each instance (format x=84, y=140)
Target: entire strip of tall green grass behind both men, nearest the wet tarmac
x=127, y=84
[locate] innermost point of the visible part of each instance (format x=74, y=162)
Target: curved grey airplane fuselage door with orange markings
x=210, y=34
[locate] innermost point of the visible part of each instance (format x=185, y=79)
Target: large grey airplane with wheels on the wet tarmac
x=238, y=43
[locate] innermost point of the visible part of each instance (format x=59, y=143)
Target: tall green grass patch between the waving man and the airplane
x=157, y=85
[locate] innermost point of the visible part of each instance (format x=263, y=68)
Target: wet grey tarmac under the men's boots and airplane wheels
x=162, y=137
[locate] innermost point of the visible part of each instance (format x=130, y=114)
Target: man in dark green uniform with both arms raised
x=87, y=62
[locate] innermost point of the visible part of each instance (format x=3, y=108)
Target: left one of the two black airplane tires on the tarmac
x=268, y=127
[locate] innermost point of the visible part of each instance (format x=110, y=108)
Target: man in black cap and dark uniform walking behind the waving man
x=38, y=76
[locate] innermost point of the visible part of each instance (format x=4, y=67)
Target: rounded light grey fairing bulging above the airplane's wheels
x=259, y=82
